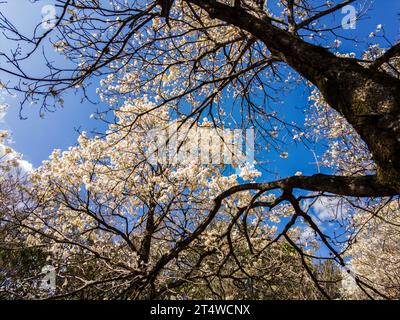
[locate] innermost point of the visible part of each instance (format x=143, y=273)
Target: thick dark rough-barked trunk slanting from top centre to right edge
x=367, y=98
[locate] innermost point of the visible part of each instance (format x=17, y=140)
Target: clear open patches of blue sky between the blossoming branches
x=35, y=137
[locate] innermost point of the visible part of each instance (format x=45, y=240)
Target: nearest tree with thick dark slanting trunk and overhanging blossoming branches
x=213, y=58
